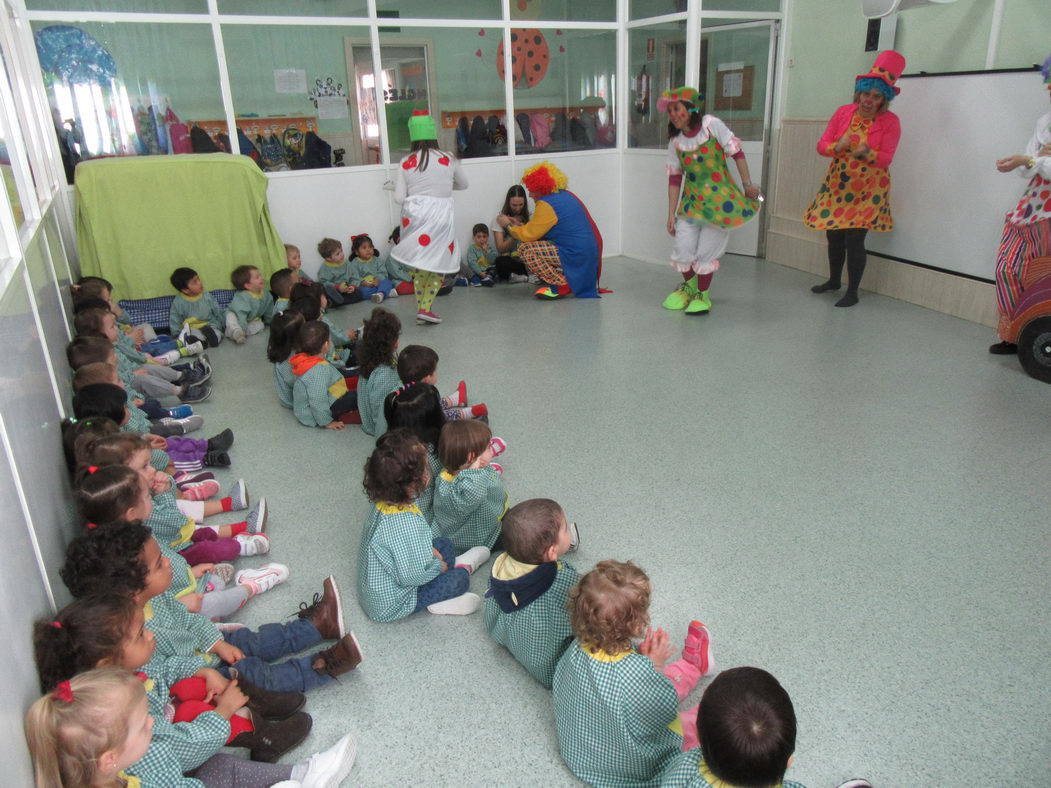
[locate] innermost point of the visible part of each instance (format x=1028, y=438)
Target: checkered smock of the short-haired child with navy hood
x=539, y=634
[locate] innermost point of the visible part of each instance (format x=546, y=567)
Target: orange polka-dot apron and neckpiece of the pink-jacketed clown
x=855, y=195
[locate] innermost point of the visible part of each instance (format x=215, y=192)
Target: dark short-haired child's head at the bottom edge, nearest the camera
x=748, y=729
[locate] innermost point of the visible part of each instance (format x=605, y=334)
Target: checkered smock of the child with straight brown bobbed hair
x=468, y=507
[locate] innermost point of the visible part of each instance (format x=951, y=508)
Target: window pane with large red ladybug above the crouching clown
x=567, y=88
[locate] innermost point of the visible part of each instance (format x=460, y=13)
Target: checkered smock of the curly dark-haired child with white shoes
x=396, y=558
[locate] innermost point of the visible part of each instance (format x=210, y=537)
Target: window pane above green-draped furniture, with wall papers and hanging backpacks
x=295, y=106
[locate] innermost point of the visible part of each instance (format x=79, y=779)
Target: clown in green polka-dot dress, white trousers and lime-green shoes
x=711, y=205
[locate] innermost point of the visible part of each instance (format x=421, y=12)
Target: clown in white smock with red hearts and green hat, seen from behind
x=426, y=181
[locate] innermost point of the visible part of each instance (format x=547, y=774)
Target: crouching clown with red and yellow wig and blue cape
x=561, y=244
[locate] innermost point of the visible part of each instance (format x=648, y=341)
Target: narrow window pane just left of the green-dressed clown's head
x=657, y=61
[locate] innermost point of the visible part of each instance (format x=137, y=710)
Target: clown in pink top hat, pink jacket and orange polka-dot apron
x=861, y=140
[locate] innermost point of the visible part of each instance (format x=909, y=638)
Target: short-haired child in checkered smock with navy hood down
x=529, y=588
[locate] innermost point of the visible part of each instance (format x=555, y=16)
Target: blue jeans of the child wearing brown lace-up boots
x=275, y=641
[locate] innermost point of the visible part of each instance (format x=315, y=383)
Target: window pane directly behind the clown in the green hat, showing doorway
x=455, y=74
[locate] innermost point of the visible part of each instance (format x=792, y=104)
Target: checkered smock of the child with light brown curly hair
x=613, y=713
